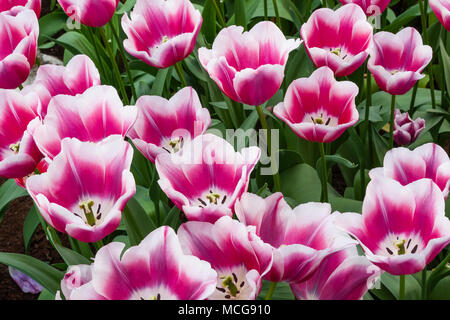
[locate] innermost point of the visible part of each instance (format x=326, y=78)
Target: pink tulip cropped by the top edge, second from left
x=92, y=13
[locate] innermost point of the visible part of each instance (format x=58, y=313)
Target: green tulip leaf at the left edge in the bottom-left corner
x=46, y=275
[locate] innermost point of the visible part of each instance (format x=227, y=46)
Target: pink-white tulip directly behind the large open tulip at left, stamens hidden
x=91, y=116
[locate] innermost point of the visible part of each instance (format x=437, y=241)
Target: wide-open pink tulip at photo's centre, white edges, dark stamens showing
x=206, y=176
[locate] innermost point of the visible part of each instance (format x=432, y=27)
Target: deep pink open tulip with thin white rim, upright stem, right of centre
x=319, y=108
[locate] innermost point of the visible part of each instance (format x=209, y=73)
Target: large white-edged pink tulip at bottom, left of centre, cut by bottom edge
x=156, y=269
